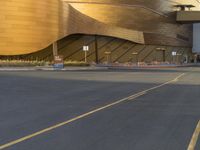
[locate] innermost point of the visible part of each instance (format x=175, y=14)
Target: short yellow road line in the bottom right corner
x=195, y=136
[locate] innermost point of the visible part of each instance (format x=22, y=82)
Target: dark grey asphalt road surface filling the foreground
x=162, y=118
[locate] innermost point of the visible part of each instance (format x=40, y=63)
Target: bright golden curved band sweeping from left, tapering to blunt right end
x=28, y=31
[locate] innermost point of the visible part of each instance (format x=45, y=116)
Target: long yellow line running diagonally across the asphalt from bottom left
x=132, y=97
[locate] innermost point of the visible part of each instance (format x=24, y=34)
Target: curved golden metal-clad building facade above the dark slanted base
x=28, y=26
